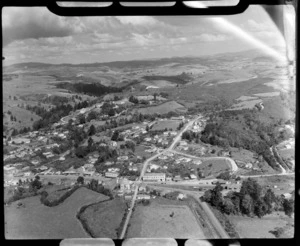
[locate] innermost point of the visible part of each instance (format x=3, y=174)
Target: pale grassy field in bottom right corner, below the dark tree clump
x=260, y=228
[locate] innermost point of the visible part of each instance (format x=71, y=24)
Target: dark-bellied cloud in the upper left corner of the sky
x=21, y=23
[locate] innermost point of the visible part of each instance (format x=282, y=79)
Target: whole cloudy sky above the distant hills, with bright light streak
x=34, y=34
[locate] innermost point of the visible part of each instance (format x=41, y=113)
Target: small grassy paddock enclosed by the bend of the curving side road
x=214, y=167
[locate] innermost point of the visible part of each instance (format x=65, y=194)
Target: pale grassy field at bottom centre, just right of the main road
x=155, y=221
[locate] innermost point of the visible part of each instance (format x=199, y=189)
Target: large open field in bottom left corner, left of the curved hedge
x=36, y=221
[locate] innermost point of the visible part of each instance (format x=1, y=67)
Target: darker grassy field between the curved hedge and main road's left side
x=104, y=218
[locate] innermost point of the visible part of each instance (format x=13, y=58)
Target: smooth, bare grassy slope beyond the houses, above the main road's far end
x=163, y=108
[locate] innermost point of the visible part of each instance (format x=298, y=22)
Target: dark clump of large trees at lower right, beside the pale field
x=249, y=201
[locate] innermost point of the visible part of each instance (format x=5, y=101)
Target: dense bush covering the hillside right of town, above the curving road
x=251, y=135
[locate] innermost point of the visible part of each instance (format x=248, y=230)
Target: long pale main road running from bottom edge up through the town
x=175, y=141
